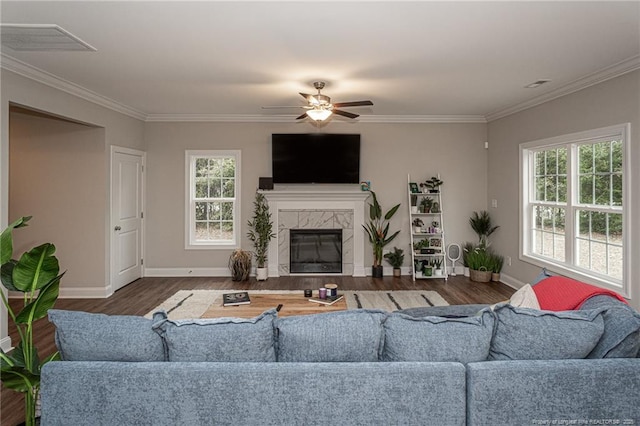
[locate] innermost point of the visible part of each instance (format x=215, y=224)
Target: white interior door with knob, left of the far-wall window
x=126, y=217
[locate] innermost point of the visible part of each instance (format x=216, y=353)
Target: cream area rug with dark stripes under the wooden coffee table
x=194, y=303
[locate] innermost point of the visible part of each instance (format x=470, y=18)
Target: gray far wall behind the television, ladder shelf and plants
x=388, y=153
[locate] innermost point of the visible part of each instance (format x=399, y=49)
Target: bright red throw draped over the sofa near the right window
x=564, y=294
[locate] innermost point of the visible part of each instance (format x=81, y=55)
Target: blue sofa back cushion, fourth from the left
x=436, y=339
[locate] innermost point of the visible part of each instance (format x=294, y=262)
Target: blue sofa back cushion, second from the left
x=218, y=339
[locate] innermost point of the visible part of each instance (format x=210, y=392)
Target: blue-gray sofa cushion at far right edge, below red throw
x=621, y=338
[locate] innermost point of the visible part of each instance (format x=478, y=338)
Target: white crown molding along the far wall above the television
x=242, y=118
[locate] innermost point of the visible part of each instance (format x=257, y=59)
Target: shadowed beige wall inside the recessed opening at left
x=57, y=176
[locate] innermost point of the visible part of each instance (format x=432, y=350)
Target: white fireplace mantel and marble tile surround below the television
x=318, y=209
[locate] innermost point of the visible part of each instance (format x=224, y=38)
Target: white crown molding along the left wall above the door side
x=16, y=66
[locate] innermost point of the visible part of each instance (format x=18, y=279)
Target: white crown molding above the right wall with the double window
x=623, y=67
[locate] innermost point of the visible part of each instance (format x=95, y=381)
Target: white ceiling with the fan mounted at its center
x=414, y=60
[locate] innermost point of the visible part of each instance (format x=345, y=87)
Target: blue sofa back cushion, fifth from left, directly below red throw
x=523, y=333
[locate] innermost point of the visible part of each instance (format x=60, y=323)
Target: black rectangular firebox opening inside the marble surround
x=315, y=251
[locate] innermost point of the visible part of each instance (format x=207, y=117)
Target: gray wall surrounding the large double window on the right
x=613, y=102
